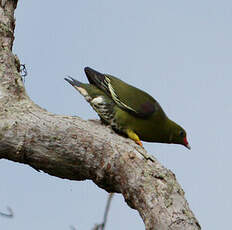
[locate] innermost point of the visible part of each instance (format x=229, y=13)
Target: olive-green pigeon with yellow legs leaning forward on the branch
x=129, y=111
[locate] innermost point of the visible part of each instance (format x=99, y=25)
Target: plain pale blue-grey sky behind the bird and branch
x=178, y=51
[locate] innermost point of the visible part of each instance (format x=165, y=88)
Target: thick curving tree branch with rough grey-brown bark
x=69, y=147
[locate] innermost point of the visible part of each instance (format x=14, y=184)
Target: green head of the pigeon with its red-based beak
x=179, y=136
